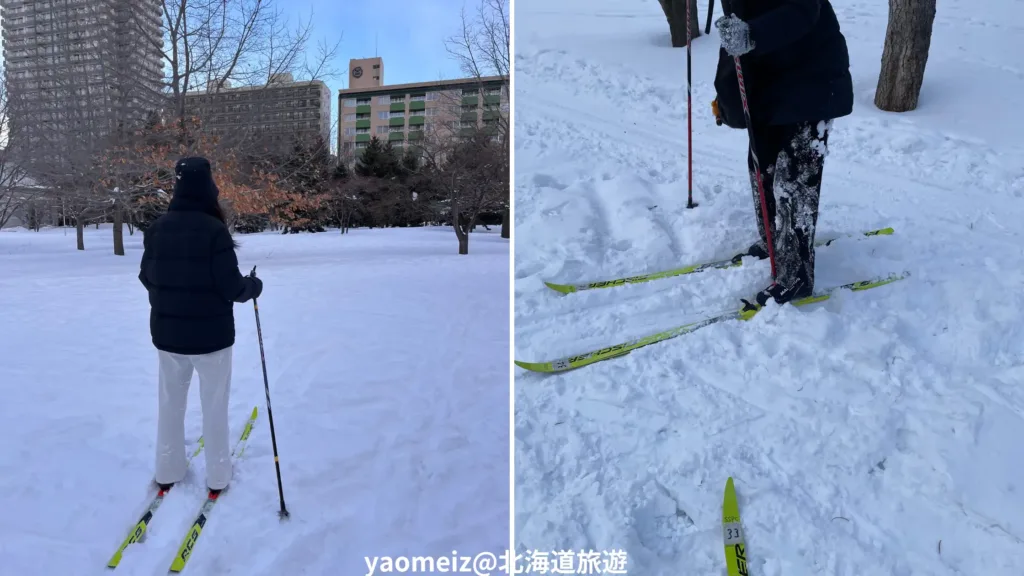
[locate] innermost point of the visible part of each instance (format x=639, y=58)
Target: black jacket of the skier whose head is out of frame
x=799, y=70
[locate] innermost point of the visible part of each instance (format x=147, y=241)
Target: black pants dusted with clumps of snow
x=792, y=160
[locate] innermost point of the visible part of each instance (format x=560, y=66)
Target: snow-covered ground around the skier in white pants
x=388, y=356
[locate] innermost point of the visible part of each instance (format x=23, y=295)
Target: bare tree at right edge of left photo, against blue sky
x=483, y=50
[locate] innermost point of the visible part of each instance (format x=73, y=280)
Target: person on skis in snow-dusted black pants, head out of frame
x=796, y=70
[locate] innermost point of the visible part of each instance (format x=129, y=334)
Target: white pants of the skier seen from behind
x=216, y=384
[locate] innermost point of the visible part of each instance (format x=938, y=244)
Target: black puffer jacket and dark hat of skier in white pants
x=190, y=269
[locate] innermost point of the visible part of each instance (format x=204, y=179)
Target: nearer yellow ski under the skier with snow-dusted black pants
x=617, y=351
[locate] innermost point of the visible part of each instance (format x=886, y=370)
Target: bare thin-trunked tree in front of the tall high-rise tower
x=73, y=96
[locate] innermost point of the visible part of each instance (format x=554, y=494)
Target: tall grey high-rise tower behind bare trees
x=76, y=70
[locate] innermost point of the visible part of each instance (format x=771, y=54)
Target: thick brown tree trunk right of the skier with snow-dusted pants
x=909, y=38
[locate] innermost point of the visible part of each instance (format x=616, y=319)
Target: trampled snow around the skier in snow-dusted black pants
x=878, y=434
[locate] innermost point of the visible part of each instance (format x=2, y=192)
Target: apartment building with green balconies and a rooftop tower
x=402, y=114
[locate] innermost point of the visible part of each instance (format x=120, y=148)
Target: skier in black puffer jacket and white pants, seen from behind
x=192, y=274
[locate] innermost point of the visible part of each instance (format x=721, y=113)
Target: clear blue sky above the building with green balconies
x=408, y=34
